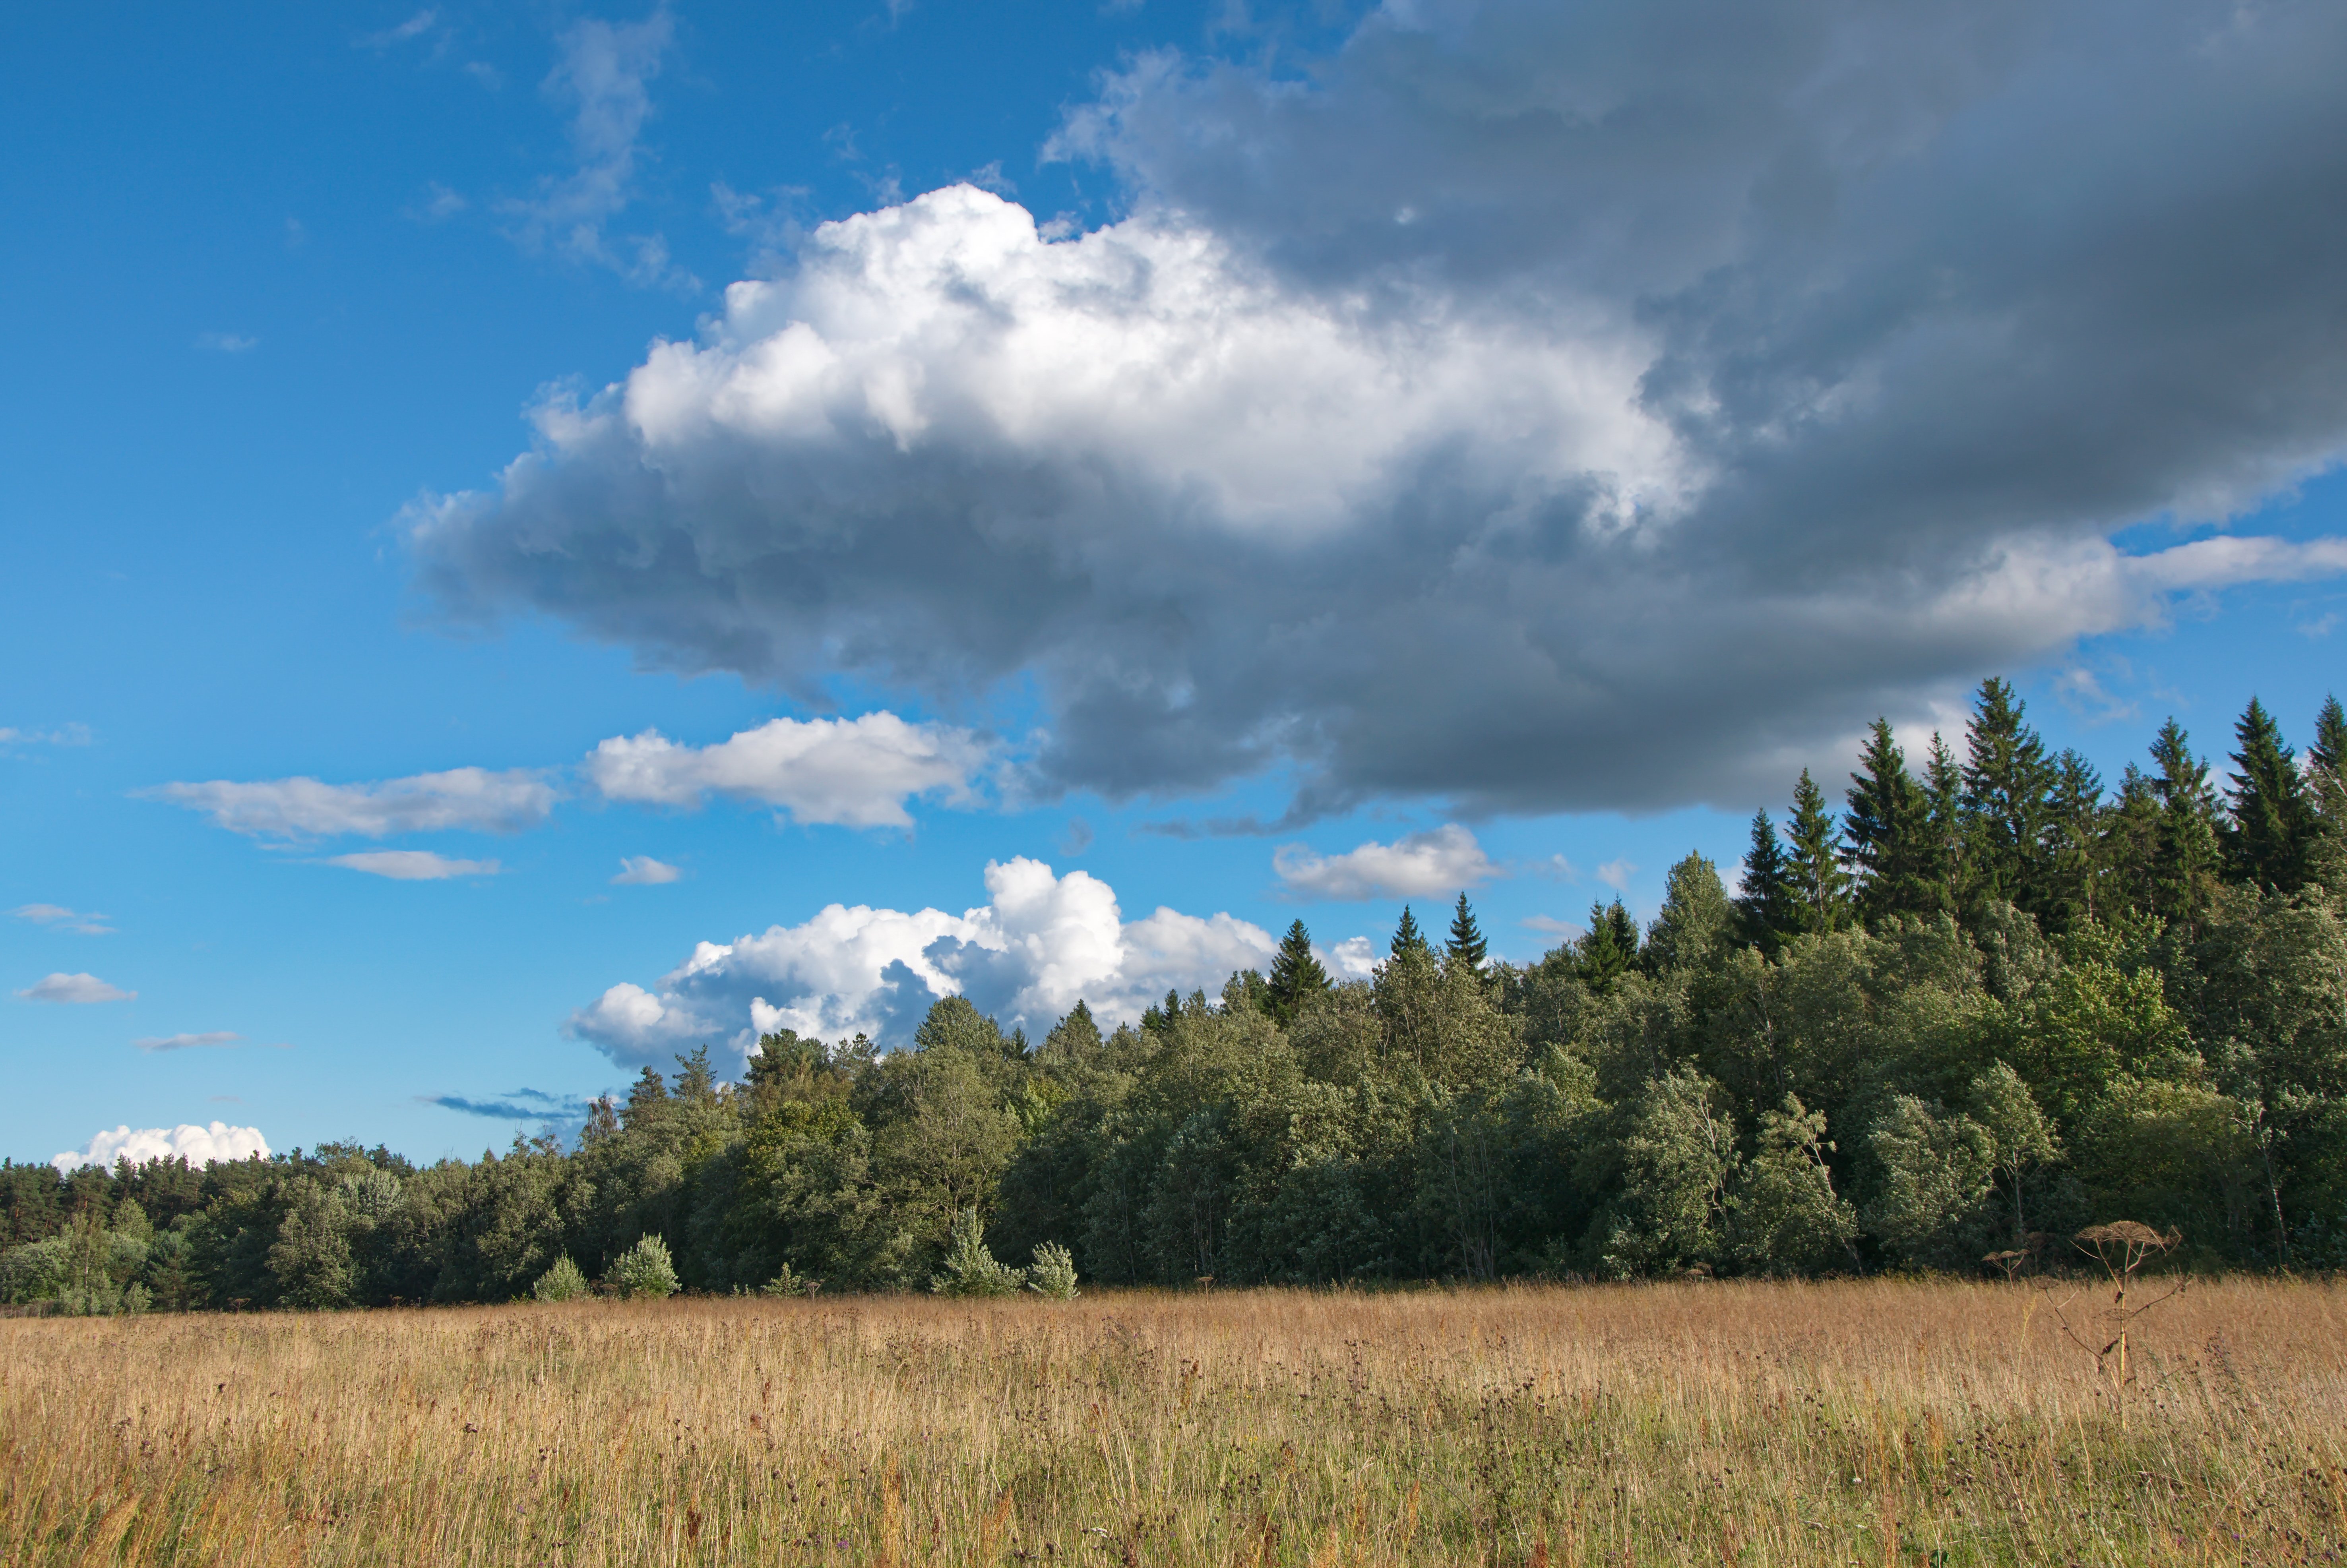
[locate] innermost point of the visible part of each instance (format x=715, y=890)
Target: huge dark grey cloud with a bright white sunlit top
x=1531, y=407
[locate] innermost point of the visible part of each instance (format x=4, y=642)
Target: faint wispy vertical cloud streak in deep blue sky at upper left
x=604, y=79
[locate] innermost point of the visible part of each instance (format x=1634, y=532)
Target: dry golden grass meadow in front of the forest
x=1700, y=1424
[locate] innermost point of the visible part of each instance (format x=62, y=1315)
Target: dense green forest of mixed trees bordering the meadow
x=1987, y=1003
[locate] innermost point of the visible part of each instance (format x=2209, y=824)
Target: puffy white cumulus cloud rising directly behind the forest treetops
x=1027, y=957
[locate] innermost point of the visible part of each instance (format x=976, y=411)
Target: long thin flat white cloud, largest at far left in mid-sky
x=431, y=802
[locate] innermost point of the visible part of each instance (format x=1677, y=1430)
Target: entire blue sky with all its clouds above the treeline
x=548, y=536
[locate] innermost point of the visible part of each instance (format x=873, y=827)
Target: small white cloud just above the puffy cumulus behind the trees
x=848, y=771
